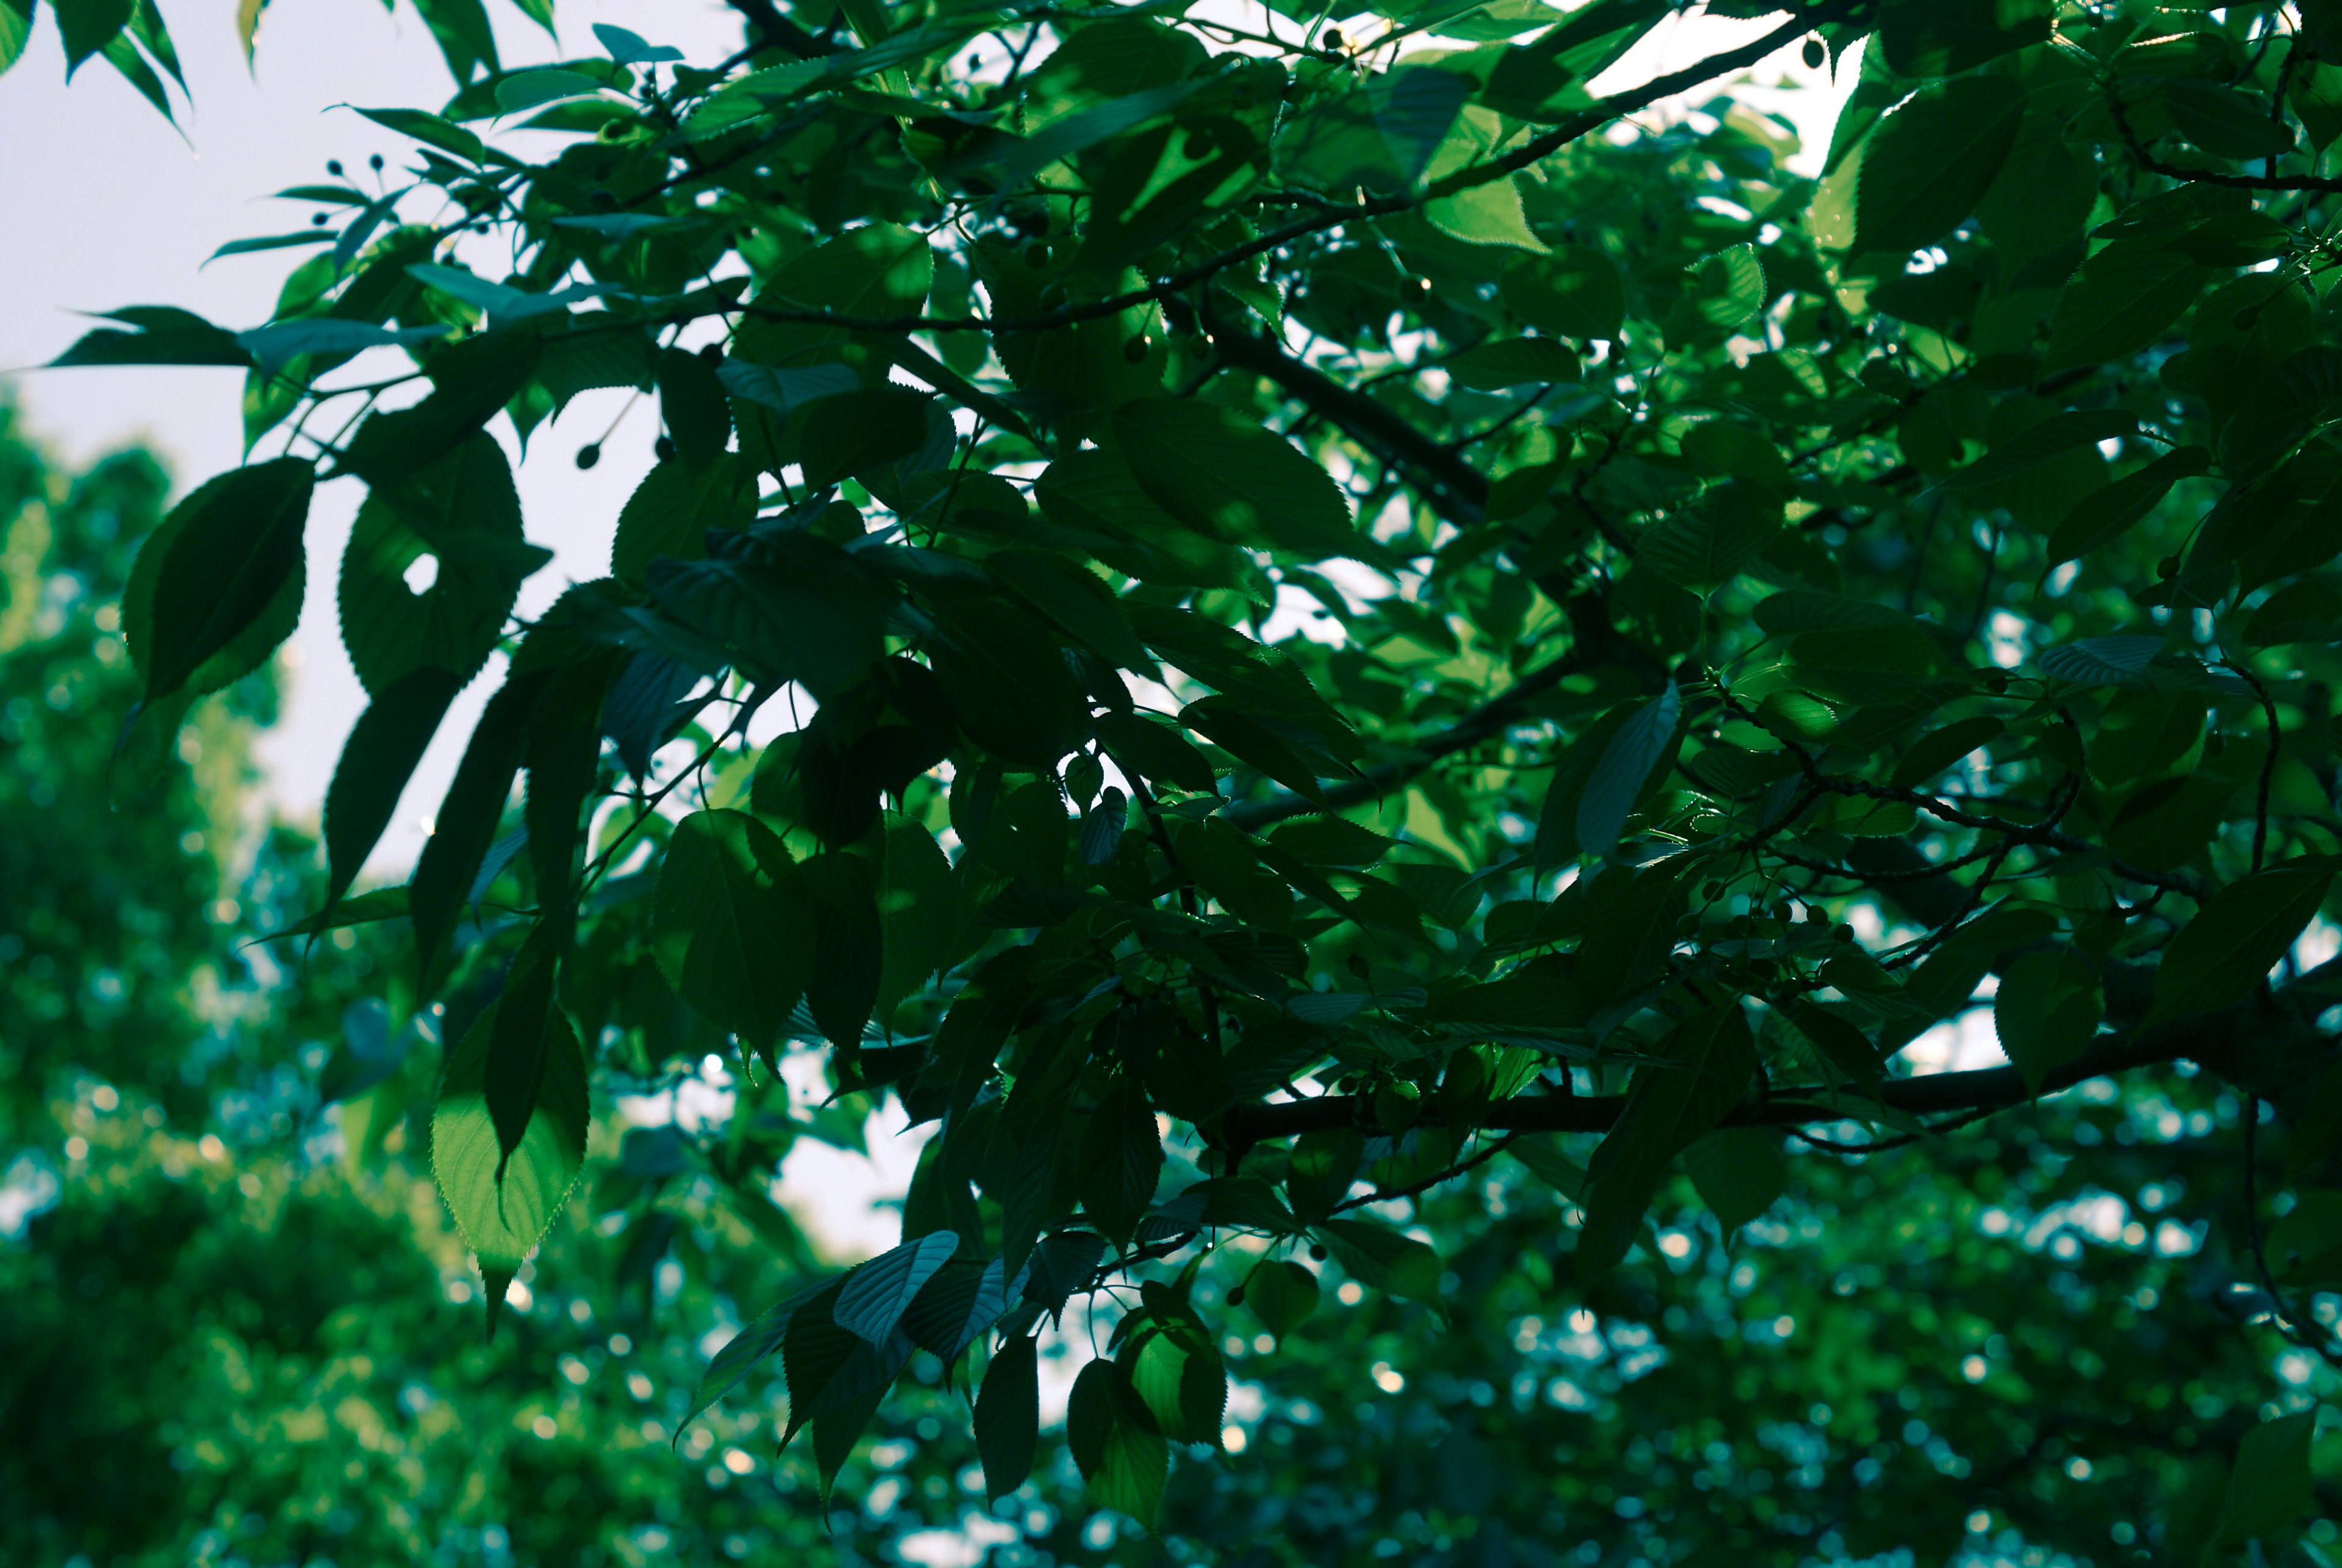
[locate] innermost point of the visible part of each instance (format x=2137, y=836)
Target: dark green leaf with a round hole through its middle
x=463, y=516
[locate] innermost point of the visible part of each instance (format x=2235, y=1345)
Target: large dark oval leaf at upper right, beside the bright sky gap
x=1931, y=163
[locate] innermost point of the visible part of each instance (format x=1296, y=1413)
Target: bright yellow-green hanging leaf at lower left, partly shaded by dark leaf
x=505, y=1216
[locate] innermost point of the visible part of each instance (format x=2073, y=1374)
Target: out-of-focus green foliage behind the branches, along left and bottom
x=235, y=1326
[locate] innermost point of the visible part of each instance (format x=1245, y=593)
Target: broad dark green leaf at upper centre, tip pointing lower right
x=1224, y=474
